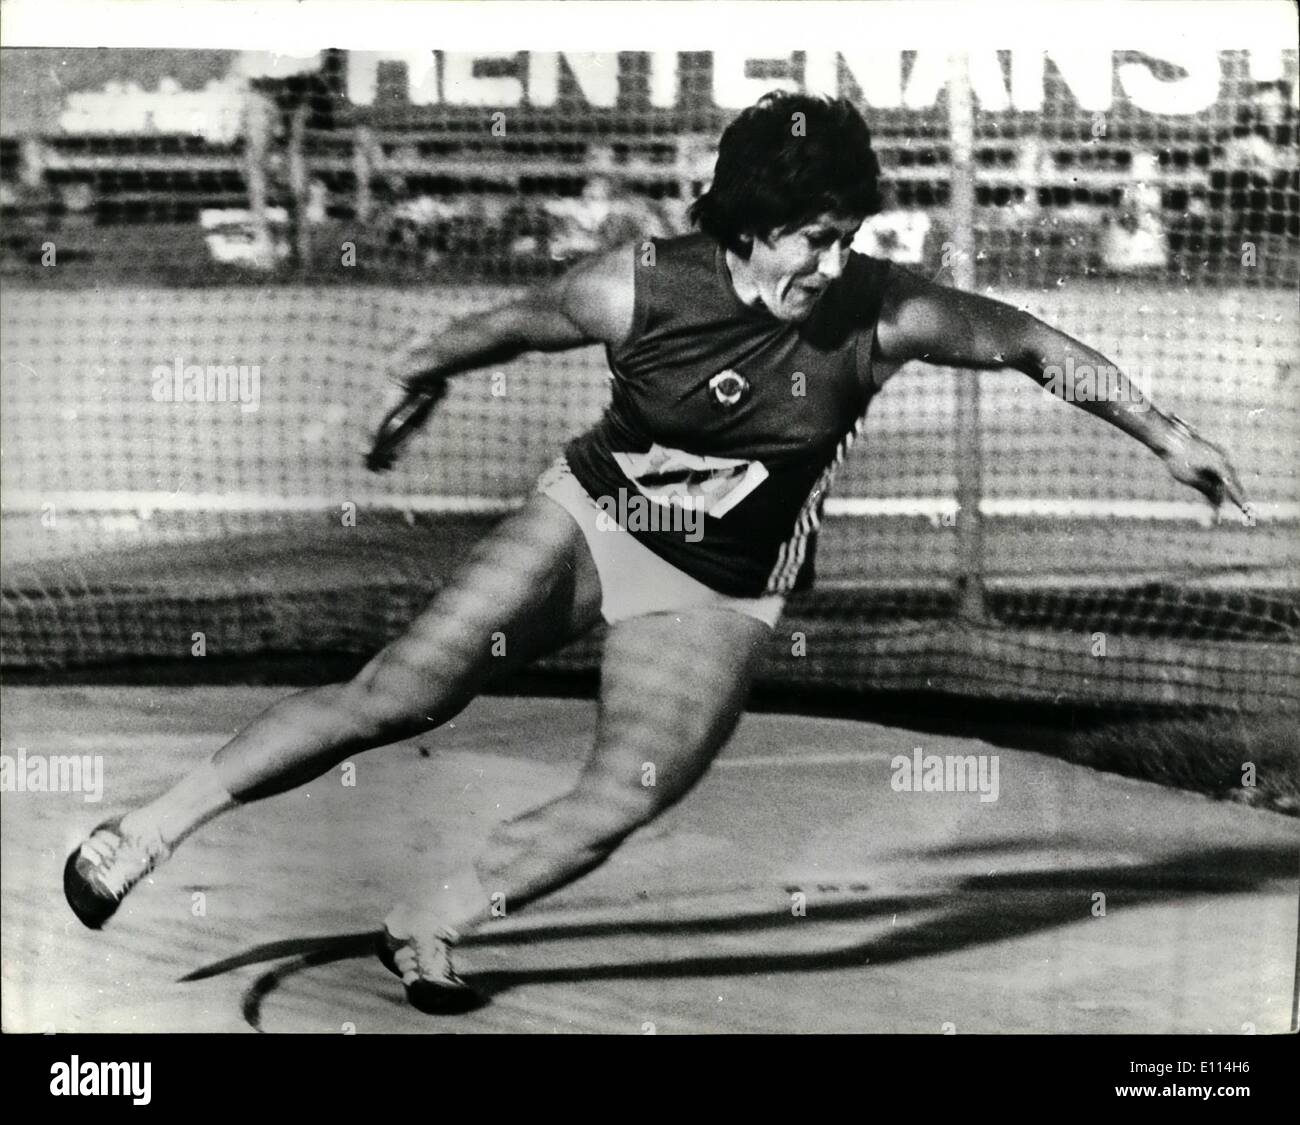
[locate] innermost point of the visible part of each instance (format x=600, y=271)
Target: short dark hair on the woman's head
x=777, y=172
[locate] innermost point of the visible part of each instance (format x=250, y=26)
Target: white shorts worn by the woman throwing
x=634, y=579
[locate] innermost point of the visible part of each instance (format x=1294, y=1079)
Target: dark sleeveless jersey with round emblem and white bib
x=731, y=417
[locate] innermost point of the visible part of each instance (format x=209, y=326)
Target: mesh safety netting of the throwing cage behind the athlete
x=289, y=245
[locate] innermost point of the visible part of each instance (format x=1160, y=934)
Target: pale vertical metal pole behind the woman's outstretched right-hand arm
x=970, y=527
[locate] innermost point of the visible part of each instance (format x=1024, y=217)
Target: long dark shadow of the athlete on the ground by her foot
x=967, y=912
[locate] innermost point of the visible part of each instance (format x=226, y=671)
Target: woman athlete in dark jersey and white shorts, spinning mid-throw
x=744, y=358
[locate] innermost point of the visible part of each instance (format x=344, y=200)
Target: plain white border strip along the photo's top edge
x=757, y=27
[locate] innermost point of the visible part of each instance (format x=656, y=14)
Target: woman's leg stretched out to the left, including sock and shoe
x=527, y=589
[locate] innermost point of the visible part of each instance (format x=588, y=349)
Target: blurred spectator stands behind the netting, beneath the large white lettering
x=272, y=175
